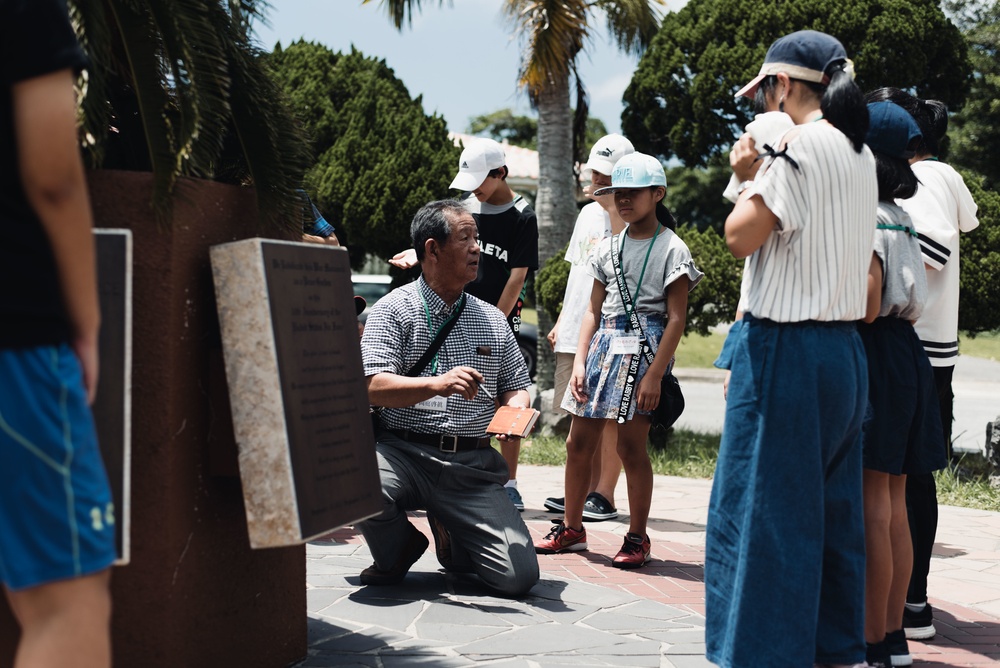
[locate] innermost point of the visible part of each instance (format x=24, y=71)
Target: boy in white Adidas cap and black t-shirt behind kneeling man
x=508, y=238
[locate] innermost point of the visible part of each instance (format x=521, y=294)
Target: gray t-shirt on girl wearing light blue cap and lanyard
x=669, y=260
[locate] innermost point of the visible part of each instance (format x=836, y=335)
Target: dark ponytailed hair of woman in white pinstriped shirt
x=841, y=102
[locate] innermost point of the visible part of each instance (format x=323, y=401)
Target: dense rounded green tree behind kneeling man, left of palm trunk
x=379, y=157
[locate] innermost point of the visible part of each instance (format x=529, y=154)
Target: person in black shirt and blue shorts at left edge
x=56, y=514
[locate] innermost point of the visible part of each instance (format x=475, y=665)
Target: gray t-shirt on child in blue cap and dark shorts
x=904, y=280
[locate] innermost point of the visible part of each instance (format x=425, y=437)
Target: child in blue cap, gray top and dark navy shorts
x=902, y=432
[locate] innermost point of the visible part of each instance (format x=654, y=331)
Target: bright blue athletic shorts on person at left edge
x=56, y=514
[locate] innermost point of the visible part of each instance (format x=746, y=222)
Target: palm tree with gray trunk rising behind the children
x=553, y=34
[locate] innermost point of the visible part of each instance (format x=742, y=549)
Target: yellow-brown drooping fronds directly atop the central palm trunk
x=553, y=32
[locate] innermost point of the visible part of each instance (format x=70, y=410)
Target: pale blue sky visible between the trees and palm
x=461, y=57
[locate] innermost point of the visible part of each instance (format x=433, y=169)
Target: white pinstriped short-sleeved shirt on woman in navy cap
x=814, y=265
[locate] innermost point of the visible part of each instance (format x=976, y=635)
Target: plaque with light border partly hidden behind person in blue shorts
x=112, y=405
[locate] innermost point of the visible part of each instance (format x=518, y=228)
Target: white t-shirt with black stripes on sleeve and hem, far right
x=940, y=209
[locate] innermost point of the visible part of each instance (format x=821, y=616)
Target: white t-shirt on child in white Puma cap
x=592, y=225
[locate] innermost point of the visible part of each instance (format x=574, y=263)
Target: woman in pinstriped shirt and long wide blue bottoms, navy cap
x=785, y=529
